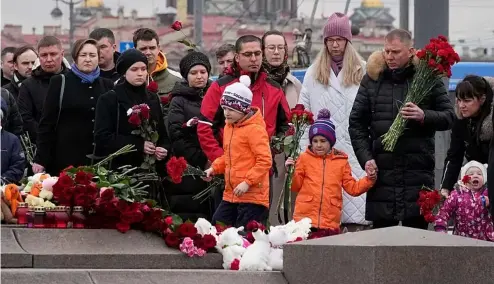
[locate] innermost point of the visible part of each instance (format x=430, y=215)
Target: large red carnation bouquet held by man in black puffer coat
x=435, y=62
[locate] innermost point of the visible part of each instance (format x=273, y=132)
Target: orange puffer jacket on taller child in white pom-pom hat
x=246, y=157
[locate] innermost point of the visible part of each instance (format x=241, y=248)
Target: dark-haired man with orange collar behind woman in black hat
x=147, y=41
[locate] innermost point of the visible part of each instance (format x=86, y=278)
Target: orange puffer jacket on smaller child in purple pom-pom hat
x=318, y=181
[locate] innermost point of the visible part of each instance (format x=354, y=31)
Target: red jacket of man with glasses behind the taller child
x=268, y=96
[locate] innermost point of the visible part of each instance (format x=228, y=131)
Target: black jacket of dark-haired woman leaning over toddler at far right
x=465, y=145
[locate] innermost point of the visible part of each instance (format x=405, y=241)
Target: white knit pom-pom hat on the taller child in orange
x=238, y=96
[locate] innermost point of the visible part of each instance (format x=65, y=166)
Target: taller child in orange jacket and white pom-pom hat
x=246, y=160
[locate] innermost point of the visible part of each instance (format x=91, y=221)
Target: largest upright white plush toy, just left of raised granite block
x=256, y=256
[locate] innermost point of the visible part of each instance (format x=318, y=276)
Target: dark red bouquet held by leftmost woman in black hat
x=139, y=117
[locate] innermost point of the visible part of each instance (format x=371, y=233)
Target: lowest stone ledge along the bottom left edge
x=147, y=276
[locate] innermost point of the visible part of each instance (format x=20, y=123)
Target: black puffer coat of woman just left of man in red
x=186, y=104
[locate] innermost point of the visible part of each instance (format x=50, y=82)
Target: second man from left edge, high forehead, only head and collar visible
x=24, y=59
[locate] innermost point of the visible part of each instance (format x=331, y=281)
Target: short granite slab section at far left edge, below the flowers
x=13, y=255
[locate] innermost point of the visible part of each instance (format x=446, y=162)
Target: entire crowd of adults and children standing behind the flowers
x=76, y=112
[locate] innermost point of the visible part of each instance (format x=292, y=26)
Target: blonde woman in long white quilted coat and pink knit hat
x=332, y=82
